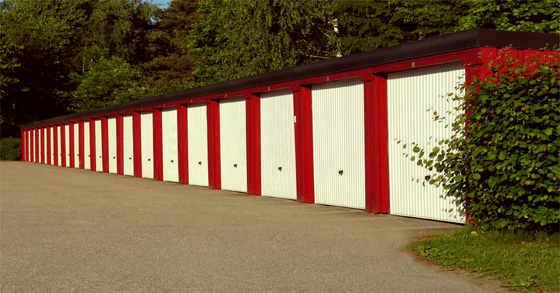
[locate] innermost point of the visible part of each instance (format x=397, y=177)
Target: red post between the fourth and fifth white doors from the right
x=214, y=160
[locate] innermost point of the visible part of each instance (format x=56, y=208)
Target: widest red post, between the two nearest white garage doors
x=376, y=139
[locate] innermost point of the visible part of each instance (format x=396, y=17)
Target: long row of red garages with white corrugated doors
x=327, y=139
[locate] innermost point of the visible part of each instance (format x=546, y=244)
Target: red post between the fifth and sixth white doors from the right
x=182, y=143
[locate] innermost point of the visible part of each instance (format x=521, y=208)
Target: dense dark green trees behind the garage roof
x=58, y=57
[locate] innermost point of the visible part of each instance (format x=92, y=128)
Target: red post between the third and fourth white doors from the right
x=253, y=120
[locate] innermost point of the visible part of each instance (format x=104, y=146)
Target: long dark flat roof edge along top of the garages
x=428, y=47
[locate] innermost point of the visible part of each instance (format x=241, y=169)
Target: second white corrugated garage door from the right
x=338, y=143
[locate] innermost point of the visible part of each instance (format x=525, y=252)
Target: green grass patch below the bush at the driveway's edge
x=523, y=261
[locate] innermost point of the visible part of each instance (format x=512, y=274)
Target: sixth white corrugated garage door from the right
x=170, y=145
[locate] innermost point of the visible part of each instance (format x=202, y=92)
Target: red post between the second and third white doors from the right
x=304, y=143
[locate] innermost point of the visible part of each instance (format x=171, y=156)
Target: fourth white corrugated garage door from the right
x=233, y=145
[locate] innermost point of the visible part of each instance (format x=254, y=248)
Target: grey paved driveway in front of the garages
x=65, y=229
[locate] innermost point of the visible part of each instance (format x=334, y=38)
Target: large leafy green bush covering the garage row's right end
x=502, y=163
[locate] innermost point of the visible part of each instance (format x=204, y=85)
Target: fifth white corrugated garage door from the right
x=197, y=144
